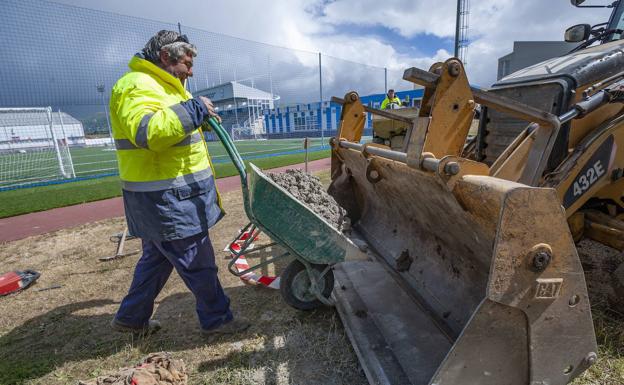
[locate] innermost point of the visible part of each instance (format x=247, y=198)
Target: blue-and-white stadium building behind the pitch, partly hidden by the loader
x=310, y=120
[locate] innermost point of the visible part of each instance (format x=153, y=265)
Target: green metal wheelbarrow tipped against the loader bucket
x=308, y=280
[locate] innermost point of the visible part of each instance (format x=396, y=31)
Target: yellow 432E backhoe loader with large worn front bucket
x=472, y=274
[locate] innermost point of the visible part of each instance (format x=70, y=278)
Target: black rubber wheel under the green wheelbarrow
x=296, y=289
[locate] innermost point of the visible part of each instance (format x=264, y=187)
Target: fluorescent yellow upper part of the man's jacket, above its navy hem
x=158, y=146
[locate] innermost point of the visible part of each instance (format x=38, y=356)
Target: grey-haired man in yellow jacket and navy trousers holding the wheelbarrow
x=169, y=189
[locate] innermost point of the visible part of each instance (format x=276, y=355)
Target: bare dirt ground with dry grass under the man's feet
x=60, y=336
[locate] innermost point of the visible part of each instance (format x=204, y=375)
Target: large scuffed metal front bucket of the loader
x=475, y=282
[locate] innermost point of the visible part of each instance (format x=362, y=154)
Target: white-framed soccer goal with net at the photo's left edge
x=33, y=147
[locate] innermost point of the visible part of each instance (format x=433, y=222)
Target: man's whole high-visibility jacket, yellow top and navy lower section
x=169, y=190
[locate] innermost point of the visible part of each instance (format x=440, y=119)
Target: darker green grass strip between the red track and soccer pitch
x=22, y=201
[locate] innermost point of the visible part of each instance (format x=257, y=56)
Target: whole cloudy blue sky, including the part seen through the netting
x=60, y=53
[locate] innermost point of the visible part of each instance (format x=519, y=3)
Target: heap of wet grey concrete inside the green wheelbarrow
x=309, y=190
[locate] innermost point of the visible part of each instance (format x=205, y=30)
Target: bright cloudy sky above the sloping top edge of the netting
x=394, y=34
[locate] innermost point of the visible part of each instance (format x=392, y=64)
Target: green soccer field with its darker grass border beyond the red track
x=94, y=161
